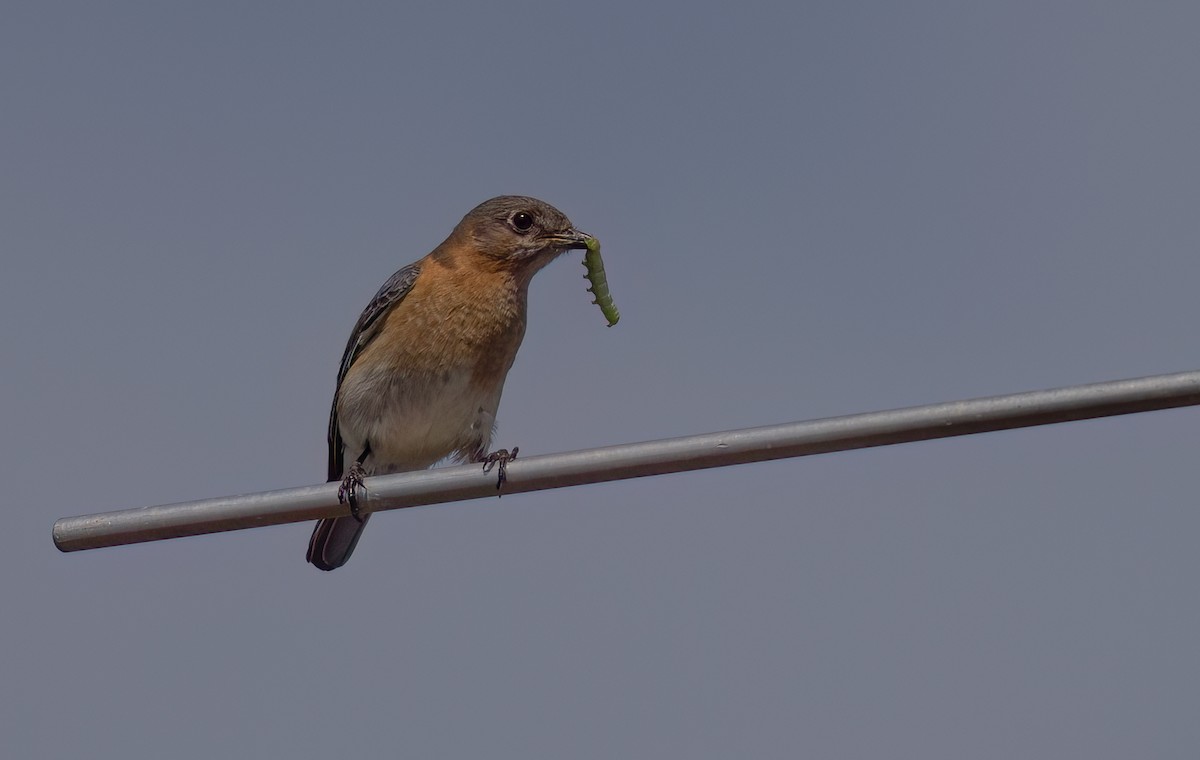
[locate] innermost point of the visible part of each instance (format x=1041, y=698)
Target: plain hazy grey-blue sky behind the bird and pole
x=807, y=210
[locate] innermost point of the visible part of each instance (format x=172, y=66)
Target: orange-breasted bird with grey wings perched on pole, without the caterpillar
x=423, y=372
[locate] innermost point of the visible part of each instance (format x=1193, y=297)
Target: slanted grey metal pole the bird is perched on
x=638, y=460
